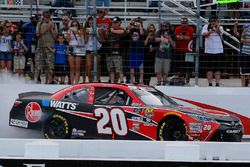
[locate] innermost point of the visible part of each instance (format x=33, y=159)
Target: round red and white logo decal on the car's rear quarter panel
x=33, y=112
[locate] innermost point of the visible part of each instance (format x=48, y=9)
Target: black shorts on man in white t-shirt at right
x=214, y=62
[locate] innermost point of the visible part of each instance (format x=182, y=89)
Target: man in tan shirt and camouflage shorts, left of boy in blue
x=46, y=32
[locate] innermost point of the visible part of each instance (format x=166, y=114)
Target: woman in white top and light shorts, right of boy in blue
x=76, y=39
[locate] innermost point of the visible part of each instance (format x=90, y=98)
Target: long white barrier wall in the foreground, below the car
x=124, y=150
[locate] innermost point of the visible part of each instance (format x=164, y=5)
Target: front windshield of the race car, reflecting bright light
x=151, y=96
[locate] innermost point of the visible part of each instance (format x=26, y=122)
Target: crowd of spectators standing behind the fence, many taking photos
x=65, y=51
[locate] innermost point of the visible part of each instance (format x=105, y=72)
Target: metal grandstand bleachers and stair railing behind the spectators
x=150, y=11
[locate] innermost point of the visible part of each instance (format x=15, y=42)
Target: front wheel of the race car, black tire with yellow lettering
x=173, y=129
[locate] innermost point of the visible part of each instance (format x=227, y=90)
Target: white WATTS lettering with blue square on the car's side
x=59, y=104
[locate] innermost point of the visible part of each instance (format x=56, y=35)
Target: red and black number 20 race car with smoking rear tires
x=121, y=112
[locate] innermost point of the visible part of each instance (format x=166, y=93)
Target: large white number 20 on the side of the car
x=117, y=119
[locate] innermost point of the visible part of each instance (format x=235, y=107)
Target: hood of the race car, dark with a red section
x=214, y=114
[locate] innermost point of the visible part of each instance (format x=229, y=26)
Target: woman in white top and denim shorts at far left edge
x=5, y=47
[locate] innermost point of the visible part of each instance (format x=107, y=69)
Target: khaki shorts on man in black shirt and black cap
x=114, y=63
